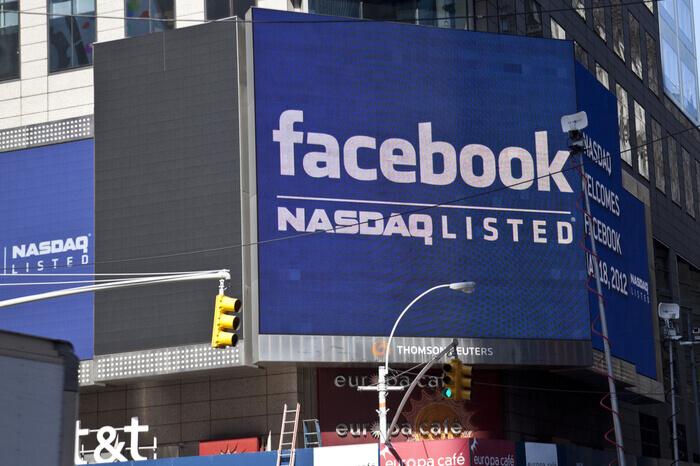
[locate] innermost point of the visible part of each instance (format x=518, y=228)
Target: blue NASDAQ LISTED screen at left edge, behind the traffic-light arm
x=46, y=228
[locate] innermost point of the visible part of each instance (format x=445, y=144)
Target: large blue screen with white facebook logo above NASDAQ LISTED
x=383, y=170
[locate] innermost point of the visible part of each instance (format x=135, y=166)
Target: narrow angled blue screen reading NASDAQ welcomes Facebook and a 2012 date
x=619, y=231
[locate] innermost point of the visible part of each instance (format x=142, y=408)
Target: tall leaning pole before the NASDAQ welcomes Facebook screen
x=604, y=325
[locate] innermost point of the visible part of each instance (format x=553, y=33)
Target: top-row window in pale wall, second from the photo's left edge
x=71, y=33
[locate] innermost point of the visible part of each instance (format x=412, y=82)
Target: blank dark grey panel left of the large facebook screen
x=167, y=181
